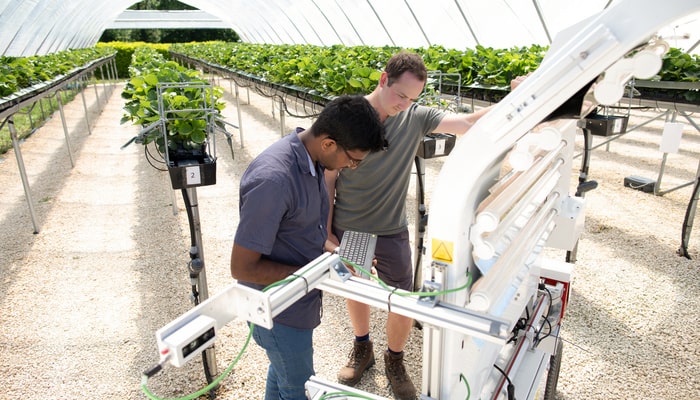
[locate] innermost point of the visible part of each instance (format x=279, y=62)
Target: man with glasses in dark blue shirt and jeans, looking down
x=284, y=209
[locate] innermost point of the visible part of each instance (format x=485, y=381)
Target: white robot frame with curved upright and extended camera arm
x=492, y=304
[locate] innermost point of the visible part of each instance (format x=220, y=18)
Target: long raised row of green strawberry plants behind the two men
x=334, y=70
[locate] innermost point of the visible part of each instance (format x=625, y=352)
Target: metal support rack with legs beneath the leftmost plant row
x=53, y=88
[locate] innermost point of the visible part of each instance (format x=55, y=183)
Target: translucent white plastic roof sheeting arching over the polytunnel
x=29, y=27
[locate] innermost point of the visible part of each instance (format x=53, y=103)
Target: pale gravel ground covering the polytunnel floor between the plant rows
x=82, y=299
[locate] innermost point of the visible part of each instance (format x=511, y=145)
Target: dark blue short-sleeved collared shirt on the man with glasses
x=283, y=215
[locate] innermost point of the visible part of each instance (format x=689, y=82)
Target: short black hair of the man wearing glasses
x=352, y=122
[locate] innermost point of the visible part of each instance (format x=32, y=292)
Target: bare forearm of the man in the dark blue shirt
x=248, y=265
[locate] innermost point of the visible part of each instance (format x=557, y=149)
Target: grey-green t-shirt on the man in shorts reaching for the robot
x=372, y=197
